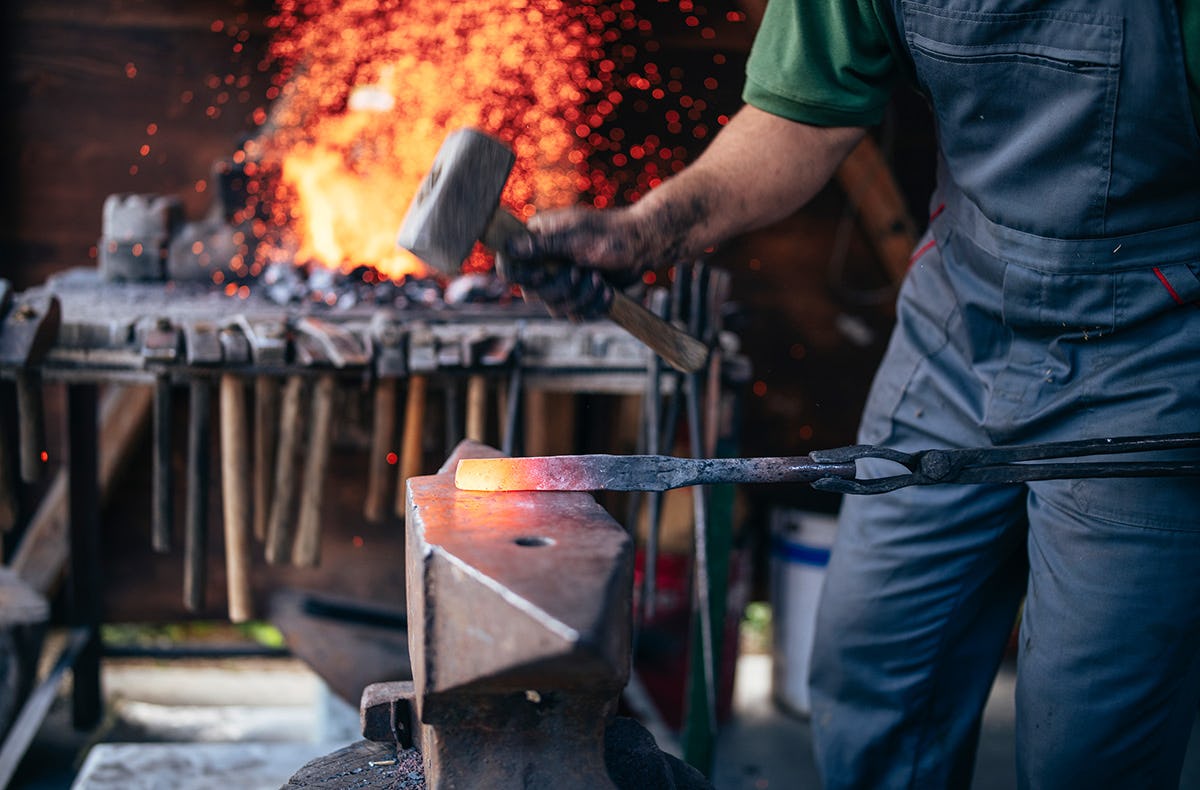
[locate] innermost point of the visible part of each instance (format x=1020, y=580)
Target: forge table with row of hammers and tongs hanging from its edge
x=86, y=331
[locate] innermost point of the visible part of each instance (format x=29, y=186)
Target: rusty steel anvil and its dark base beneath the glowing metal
x=520, y=629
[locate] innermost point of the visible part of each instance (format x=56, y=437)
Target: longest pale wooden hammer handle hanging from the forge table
x=236, y=496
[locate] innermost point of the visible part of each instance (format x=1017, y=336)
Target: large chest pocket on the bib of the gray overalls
x=1016, y=95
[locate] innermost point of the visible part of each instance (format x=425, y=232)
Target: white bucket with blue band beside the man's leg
x=800, y=553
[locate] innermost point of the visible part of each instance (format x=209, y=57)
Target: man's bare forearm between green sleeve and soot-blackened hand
x=759, y=170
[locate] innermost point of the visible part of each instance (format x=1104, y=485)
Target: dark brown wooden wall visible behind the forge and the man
x=86, y=80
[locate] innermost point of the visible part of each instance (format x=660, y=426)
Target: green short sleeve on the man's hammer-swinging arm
x=829, y=63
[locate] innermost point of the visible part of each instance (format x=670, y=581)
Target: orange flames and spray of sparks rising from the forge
x=364, y=93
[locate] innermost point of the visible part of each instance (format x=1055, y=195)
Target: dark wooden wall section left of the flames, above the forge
x=83, y=85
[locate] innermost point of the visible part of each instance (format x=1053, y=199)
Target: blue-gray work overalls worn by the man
x=1055, y=297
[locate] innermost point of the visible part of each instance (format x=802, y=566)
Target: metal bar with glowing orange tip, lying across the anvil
x=635, y=472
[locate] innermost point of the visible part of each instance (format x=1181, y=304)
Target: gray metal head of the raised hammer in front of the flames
x=457, y=200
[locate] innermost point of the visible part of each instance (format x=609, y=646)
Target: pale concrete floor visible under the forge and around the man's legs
x=250, y=725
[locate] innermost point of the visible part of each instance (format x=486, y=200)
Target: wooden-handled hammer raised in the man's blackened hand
x=459, y=204
